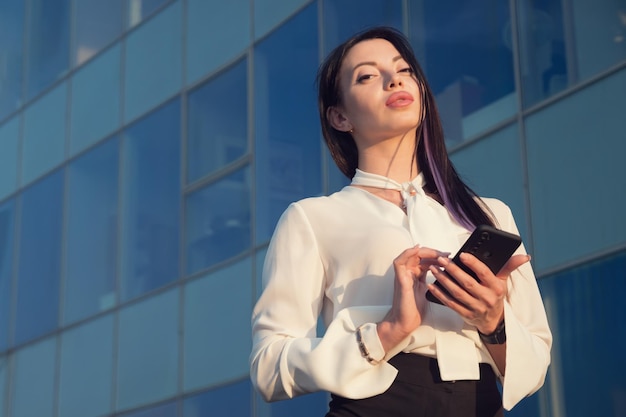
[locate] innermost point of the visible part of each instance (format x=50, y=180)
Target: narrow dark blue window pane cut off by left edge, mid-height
x=7, y=231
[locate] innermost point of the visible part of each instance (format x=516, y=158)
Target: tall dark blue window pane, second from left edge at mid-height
x=39, y=258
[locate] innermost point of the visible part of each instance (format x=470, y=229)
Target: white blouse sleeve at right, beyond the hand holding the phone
x=528, y=335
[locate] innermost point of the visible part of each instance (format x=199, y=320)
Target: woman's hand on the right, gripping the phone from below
x=479, y=303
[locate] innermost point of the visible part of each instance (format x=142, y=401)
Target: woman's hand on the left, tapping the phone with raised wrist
x=409, y=300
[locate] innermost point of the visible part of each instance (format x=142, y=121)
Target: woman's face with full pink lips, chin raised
x=381, y=98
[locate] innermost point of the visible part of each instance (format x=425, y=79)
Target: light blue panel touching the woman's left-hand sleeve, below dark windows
x=229, y=291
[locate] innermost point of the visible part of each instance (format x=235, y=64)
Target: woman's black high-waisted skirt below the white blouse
x=418, y=391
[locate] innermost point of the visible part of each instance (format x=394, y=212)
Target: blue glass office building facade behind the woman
x=148, y=147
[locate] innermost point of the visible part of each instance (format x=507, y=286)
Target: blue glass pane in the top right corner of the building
x=600, y=33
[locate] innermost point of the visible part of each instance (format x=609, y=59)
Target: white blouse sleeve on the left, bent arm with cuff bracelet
x=288, y=358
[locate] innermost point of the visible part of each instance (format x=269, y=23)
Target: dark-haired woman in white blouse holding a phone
x=364, y=257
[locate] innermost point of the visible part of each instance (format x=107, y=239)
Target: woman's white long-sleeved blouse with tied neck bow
x=333, y=256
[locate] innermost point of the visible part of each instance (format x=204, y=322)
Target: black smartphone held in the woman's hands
x=491, y=246
